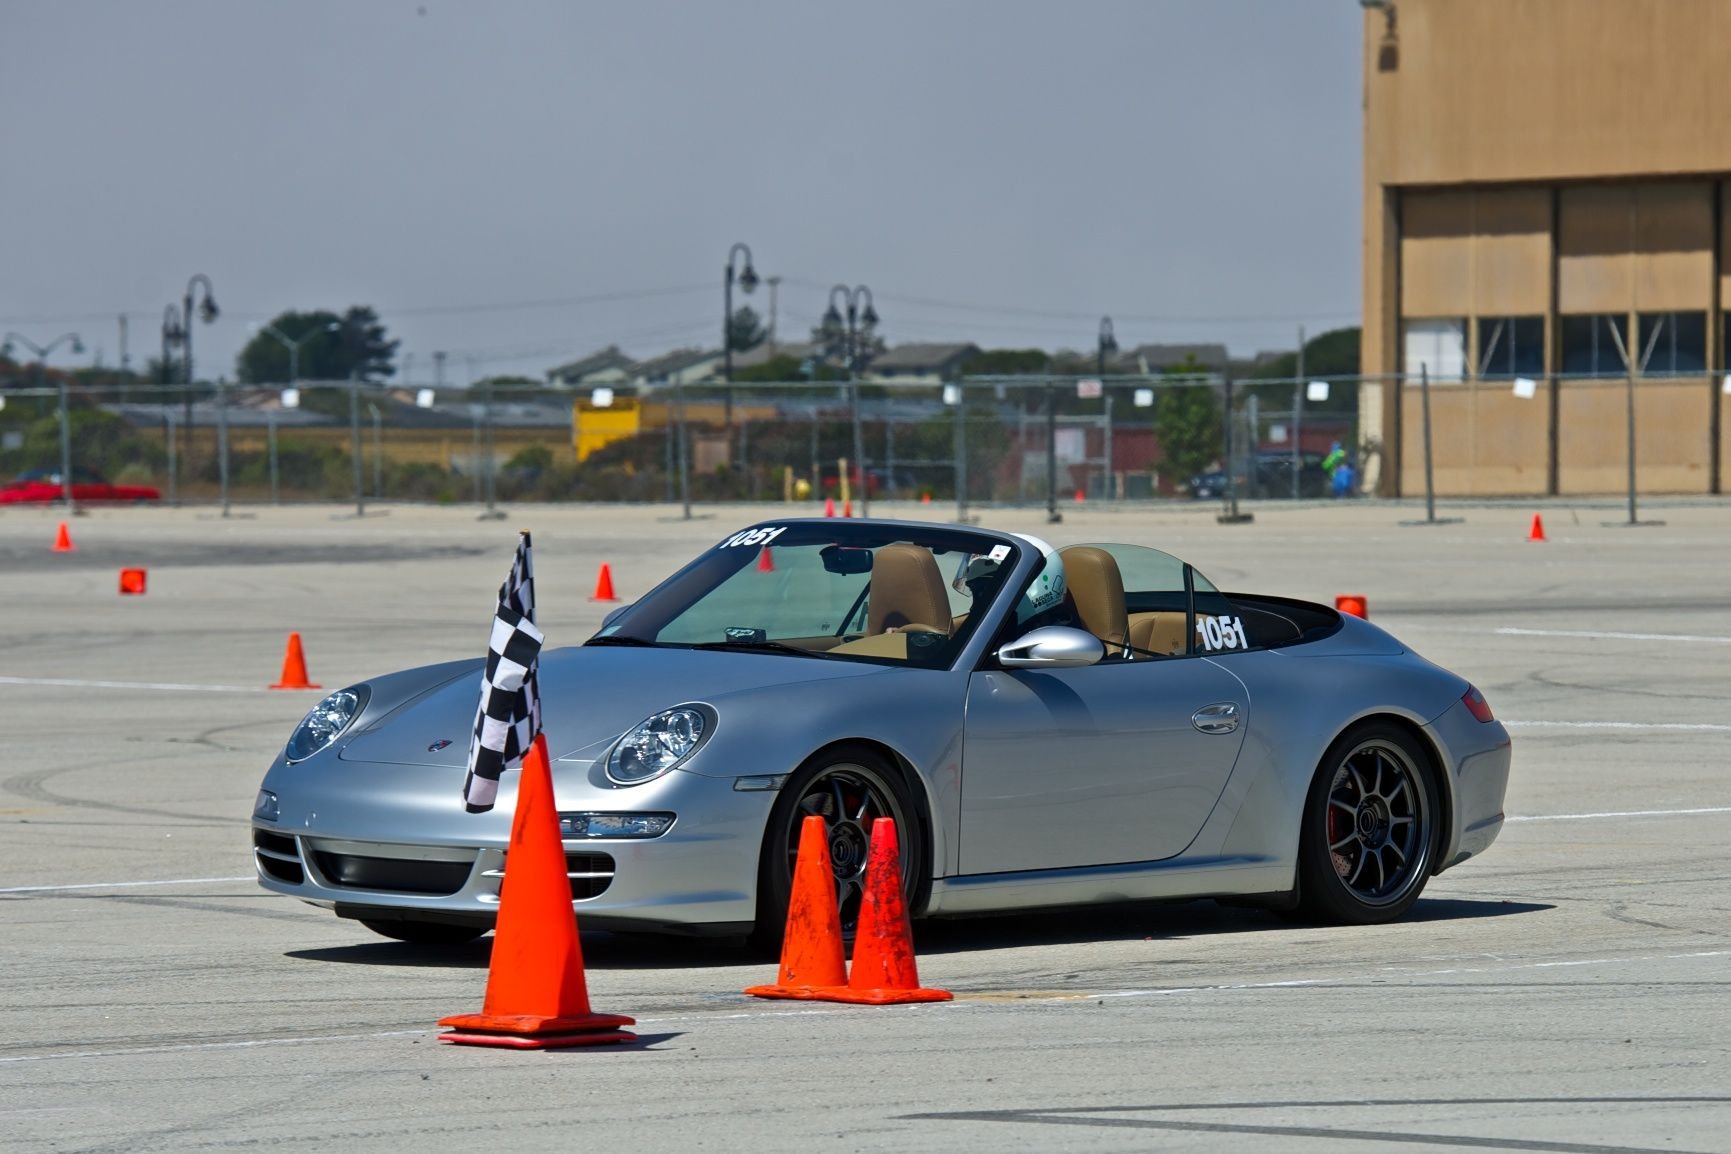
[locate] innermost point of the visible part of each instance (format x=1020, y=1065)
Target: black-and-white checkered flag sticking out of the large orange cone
x=508, y=717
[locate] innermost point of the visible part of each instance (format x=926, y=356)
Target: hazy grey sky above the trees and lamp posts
x=487, y=174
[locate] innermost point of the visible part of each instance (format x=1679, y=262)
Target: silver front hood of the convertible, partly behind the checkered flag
x=589, y=698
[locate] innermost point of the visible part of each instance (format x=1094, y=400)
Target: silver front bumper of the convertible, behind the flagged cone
x=375, y=854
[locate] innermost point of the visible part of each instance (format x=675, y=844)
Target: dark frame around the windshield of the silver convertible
x=692, y=582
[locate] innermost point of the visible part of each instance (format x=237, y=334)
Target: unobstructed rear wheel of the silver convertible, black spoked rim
x=1372, y=828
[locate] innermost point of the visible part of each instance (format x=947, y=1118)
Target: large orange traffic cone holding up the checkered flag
x=537, y=997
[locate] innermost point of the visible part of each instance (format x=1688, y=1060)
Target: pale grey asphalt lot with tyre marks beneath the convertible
x=1571, y=991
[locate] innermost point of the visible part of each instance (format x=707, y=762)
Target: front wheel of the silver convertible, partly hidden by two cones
x=847, y=786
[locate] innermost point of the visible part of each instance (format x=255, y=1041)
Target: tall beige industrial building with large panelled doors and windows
x=1545, y=189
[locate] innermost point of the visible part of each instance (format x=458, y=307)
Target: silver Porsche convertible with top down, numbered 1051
x=1048, y=726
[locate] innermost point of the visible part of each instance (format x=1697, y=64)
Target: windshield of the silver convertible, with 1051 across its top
x=827, y=591
